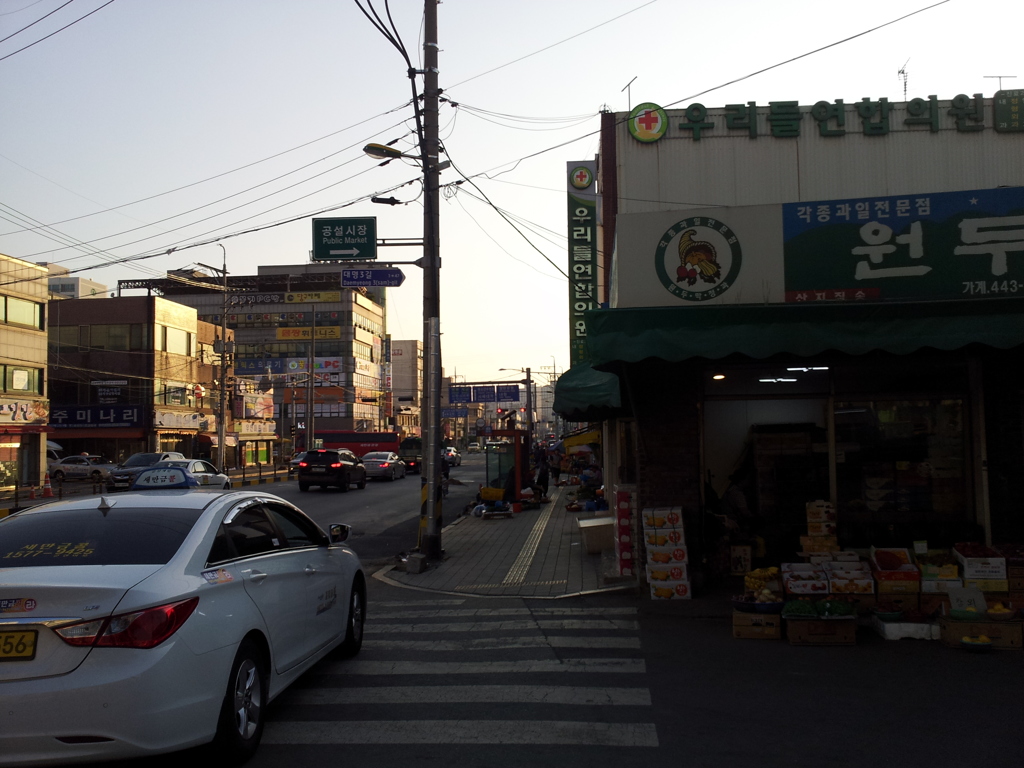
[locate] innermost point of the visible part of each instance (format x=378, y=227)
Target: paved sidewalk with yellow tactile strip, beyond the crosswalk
x=536, y=553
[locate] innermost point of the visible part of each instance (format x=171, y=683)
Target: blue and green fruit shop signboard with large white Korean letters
x=938, y=246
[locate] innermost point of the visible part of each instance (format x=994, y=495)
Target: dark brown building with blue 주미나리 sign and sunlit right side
x=148, y=382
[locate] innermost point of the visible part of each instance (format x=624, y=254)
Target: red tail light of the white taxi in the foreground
x=143, y=629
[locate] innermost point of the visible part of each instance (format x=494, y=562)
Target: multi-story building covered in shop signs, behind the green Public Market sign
x=321, y=346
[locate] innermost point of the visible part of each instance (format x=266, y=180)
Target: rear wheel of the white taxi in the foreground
x=240, y=727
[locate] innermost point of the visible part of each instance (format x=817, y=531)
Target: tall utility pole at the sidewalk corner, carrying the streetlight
x=431, y=151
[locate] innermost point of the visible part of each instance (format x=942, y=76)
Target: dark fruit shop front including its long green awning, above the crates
x=907, y=417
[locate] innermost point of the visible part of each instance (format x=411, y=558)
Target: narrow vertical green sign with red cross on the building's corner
x=583, y=252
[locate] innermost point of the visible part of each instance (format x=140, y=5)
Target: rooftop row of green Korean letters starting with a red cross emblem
x=648, y=122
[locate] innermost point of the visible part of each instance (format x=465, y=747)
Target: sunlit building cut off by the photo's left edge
x=24, y=406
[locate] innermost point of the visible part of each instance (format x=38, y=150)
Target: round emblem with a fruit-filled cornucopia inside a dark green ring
x=701, y=250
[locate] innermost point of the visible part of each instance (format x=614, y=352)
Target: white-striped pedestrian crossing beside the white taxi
x=456, y=672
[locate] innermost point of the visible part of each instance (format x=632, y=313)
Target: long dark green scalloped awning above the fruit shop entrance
x=676, y=334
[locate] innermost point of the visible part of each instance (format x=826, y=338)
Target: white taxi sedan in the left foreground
x=152, y=622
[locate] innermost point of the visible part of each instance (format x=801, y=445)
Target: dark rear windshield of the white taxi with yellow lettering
x=91, y=537
